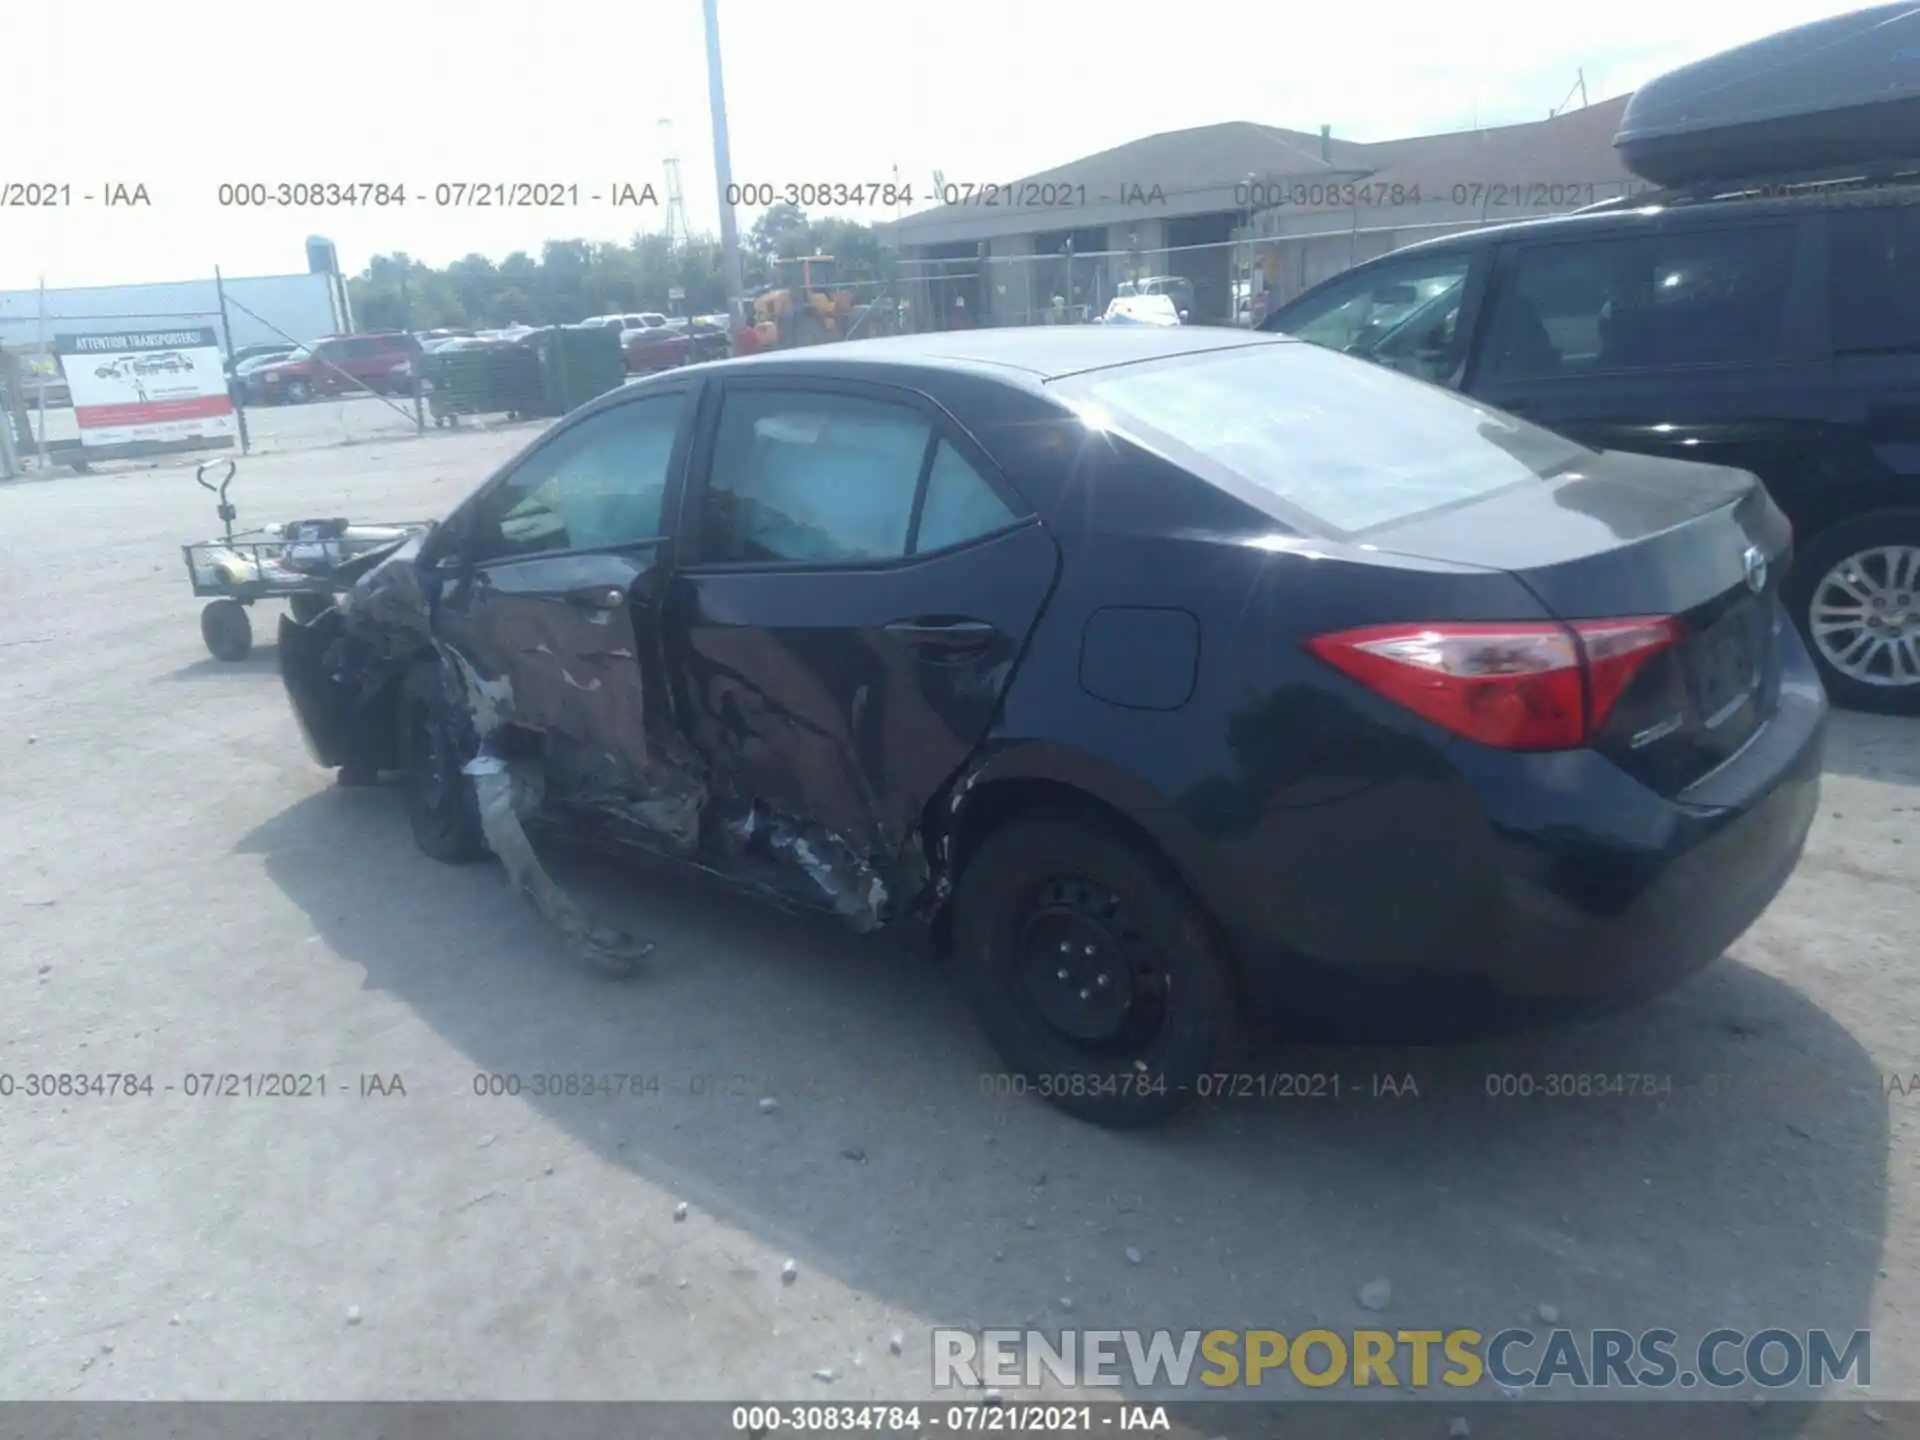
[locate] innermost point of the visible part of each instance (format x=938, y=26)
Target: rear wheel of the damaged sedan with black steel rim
x=1059, y=880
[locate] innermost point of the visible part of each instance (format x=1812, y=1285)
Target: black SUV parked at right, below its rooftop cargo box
x=1767, y=327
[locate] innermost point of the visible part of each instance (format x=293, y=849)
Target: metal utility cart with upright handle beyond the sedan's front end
x=293, y=562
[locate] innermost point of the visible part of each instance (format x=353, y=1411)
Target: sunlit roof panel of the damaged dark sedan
x=1032, y=352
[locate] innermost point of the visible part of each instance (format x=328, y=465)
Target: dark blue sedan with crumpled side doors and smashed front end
x=1174, y=677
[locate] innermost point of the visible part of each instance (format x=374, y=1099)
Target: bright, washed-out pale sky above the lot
x=191, y=95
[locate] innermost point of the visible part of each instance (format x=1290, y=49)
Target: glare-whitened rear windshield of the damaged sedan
x=1318, y=439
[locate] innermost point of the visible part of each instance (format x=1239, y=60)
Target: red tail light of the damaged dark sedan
x=1518, y=686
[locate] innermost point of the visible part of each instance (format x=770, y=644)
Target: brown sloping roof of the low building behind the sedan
x=1205, y=172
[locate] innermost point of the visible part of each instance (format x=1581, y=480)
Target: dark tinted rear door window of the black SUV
x=1639, y=304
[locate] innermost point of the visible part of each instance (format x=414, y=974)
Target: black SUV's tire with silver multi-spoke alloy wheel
x=1883, y=556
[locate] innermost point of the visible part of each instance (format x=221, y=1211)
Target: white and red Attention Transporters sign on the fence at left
x=147, y=387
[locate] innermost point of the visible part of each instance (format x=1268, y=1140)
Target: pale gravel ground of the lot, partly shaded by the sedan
x=185, y=894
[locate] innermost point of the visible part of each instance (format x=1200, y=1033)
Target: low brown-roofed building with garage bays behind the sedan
x=1249, y=214
